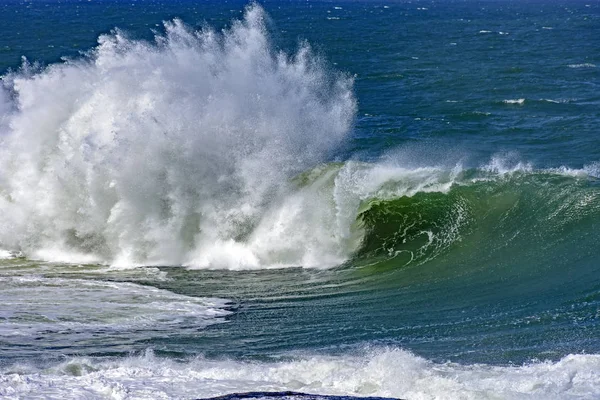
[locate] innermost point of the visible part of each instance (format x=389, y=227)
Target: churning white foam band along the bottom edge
x=387, y=372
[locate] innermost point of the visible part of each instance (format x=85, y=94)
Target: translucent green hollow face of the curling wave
x=516, y=215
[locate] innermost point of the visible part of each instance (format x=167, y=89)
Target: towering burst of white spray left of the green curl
x=164, y=152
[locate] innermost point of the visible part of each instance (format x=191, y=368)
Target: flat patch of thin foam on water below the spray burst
x=33, y=306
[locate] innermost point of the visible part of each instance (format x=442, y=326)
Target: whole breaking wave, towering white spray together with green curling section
x=211, y=150
